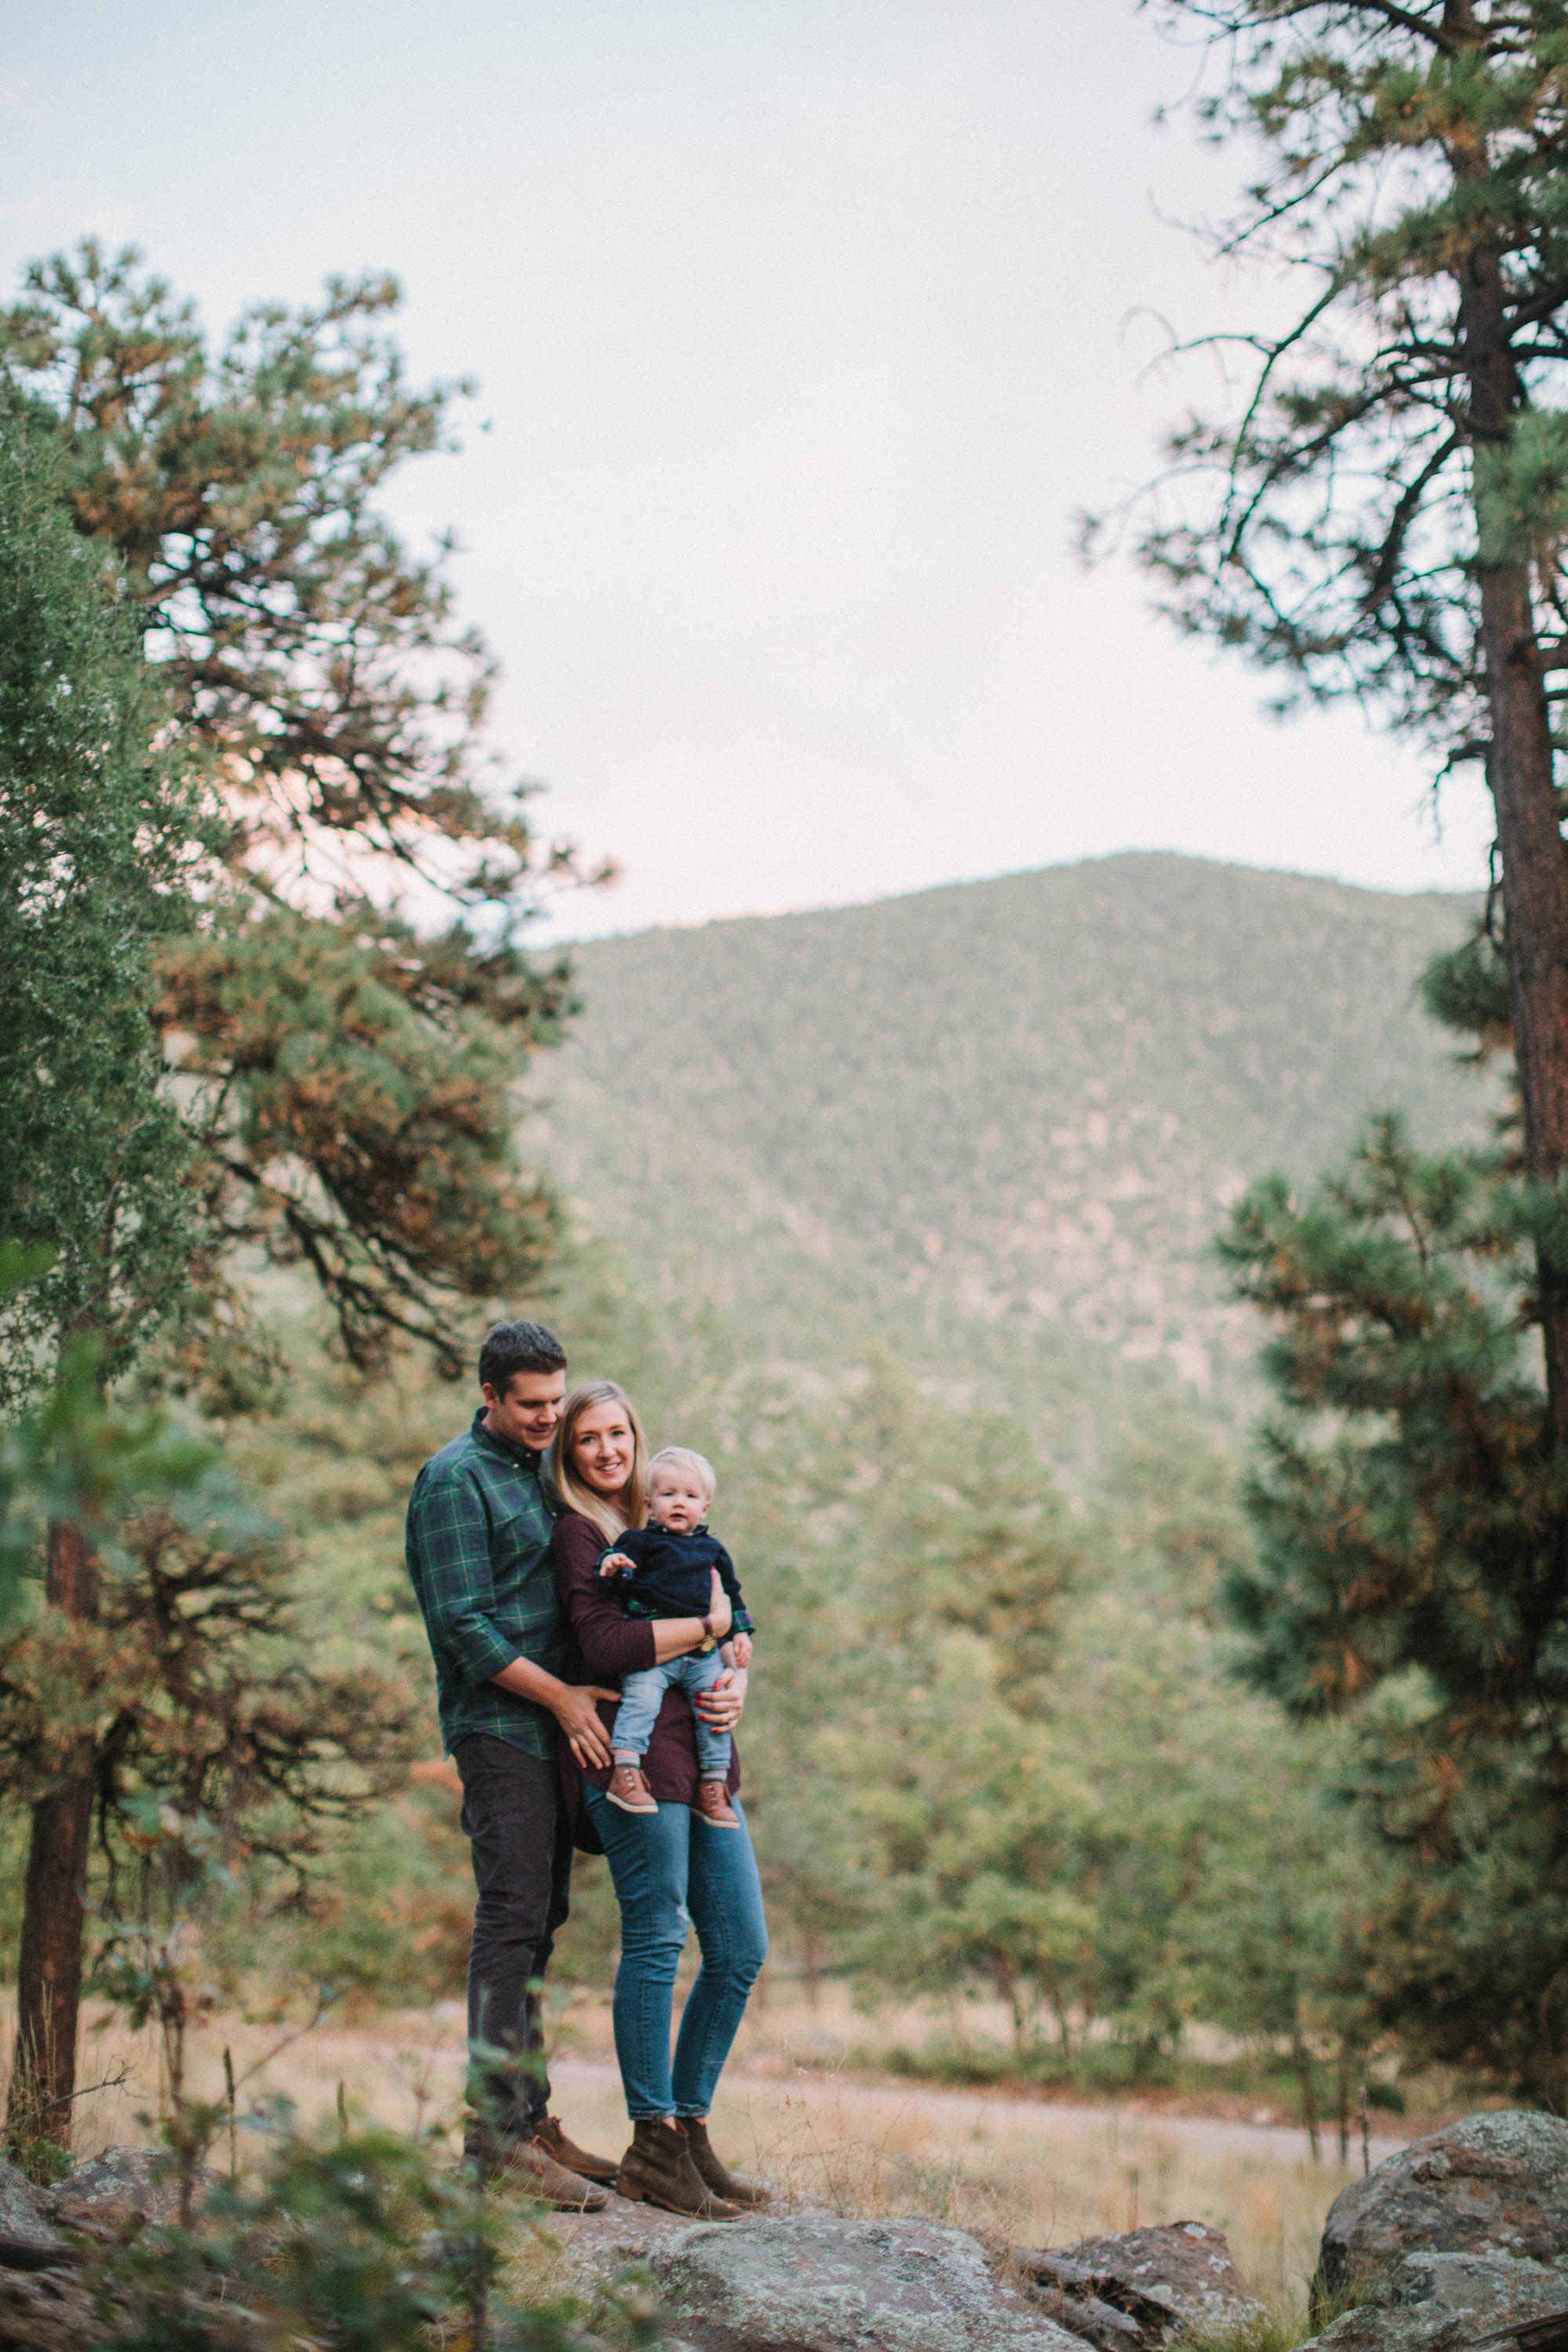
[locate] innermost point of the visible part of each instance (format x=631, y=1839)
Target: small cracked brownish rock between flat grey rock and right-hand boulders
x=1155, y=2280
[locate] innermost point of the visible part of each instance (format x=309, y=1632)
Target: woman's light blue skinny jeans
x=676, y=1873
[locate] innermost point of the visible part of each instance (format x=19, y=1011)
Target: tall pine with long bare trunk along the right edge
x=1383, y=516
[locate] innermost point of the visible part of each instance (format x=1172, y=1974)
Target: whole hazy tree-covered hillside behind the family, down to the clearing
x=904, y=1217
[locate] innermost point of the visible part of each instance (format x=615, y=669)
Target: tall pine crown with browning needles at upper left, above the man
x=351, y=1069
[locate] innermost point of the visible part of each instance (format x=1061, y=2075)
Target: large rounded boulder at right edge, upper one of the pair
x=1492, y=2184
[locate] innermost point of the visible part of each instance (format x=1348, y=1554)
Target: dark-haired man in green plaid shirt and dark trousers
x=478, y=1556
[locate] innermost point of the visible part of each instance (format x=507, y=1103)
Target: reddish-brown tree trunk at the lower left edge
x=55, y=1906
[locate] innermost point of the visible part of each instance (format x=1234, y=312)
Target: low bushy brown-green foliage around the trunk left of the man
x=194, y=1692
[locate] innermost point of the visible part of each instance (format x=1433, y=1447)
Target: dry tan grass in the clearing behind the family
x=1017, y=2172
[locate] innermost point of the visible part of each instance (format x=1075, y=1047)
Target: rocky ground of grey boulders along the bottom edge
x=1454, y=2243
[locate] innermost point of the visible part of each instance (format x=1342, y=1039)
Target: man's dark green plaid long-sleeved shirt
x=478, y=1556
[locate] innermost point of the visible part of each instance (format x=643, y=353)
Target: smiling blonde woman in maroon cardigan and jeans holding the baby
x=671, y=1871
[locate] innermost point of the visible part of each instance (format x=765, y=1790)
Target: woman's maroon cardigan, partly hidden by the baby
x=605, y=1645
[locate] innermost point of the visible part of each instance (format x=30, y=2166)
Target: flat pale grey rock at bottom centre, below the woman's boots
x=824, y=2285
